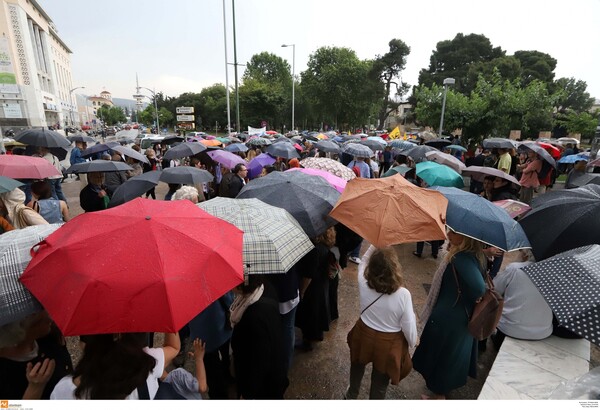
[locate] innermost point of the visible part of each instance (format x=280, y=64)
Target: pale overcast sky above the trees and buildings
x=178, y=46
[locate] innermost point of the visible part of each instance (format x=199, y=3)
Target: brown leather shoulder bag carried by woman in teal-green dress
x=487, y=311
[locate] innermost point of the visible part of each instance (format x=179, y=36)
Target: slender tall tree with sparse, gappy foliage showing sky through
x=387, y=69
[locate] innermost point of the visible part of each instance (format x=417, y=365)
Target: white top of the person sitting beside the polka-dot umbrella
x=525, y=315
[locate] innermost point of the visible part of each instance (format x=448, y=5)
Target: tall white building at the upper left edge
x=35, y=69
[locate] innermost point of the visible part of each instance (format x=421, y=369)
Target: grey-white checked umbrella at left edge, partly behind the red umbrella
x=16, y=302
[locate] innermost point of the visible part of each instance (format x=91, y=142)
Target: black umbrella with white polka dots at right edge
x=570, y=284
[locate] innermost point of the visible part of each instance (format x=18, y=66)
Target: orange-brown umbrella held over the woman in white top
x=389, y=211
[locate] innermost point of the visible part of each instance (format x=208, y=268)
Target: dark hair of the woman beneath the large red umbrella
x=113, y=366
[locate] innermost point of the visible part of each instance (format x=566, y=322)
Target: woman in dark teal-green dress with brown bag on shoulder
x=447, y=352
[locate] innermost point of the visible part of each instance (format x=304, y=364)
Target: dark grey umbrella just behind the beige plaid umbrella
x=308, y=198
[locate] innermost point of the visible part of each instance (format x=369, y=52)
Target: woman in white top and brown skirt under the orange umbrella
x=386, y=328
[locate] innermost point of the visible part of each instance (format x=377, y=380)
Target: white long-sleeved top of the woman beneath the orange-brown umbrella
x=391, y=313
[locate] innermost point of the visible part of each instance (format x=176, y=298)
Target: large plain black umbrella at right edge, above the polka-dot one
x=563, y=219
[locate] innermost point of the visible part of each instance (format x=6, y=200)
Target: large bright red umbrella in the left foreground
x=144, y=266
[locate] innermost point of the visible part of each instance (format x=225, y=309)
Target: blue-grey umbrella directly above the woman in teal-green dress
x=478, y=218
